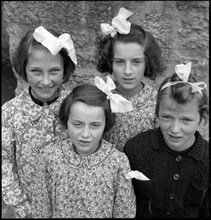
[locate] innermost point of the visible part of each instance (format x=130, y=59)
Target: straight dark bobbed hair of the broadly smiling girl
x=20, y=56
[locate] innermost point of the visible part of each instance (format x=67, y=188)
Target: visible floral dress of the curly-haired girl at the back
x=140, y=119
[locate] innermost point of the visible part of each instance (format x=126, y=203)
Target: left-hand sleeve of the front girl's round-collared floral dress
x=42, y=199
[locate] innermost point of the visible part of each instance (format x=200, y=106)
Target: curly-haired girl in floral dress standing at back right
x=130, y=53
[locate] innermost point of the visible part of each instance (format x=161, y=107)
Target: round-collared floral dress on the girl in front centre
x=75, y=186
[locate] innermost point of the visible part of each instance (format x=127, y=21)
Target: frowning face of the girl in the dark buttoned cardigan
x=178, y=123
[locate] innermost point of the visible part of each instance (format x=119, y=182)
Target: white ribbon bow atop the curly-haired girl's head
x=119, y=24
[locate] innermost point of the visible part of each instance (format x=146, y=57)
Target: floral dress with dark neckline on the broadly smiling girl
x=26, y=126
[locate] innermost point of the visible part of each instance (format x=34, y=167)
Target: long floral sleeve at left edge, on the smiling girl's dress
x=12, y=192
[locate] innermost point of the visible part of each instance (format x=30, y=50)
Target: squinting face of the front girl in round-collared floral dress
x=85, y=126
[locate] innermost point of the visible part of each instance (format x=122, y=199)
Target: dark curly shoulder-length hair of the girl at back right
x=152, y=51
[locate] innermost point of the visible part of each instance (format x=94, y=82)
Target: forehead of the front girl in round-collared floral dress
x=82, y=111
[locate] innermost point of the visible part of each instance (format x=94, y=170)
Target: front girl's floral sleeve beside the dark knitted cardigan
x=125, y=201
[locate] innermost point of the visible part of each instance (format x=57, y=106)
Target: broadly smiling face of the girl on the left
x=45, y=74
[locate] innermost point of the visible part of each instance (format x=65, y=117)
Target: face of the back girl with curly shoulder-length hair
x=128, y=67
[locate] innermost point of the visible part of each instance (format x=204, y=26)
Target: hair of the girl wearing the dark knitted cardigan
x=182, y=93
